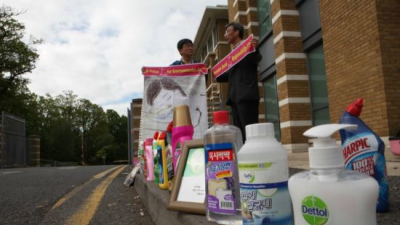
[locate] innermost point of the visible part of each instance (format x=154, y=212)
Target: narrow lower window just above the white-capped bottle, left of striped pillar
x=271, y=104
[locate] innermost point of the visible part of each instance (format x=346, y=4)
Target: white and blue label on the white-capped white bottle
x=264, y=193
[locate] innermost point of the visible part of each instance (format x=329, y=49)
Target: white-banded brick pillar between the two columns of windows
x=293, y=94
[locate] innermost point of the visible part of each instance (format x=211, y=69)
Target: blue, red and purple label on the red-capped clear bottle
x=220, y=182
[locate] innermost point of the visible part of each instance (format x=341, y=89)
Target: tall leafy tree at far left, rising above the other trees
x=16, y=56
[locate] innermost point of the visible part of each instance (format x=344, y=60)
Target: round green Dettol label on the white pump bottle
x=314, y=210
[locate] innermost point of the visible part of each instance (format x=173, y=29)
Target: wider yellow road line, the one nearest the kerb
x=89, y=208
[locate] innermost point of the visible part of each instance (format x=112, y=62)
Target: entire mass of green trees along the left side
x=69, y=127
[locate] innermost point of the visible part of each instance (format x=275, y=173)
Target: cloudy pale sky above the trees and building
x=96, y=48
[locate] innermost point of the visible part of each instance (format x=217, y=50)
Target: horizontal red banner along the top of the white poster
x=181, y=70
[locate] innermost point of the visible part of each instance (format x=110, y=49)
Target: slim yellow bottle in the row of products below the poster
x=162, y=162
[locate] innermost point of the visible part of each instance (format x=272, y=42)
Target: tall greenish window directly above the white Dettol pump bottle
x=318, y=87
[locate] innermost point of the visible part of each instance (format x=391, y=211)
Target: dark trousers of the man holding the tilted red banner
x=245, y=113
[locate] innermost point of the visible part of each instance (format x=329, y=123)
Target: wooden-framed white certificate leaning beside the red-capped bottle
x=188, y=193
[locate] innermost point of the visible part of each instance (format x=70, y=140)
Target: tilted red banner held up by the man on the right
x=234, y=57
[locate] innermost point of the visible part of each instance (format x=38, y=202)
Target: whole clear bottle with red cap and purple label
x=222, y=142
